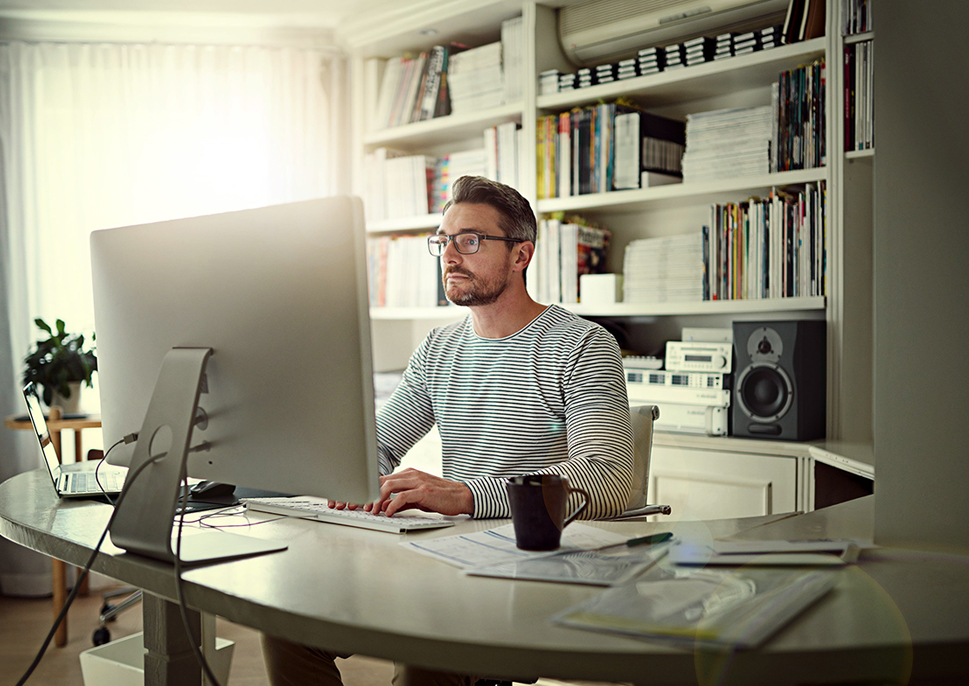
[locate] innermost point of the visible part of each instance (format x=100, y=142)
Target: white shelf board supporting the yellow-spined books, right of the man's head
x=680, y=193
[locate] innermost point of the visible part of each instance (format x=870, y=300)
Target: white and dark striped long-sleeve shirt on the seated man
x=550, y=399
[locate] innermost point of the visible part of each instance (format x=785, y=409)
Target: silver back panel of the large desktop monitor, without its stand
x=279, y=295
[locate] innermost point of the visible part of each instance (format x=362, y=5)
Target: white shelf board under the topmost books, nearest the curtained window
x=450, y=129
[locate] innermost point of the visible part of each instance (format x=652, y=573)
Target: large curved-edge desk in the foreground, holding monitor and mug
x=359, y=591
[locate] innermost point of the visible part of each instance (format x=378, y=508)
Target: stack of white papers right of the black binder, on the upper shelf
x=727, y=143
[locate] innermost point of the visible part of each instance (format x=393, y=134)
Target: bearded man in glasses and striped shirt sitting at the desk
x=515, y=388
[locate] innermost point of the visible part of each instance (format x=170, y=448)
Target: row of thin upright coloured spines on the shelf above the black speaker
x=773, y=248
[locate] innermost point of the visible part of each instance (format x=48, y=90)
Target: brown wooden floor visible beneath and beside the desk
x=25, y=622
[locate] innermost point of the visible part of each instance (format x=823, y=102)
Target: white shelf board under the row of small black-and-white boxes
x=709, y=79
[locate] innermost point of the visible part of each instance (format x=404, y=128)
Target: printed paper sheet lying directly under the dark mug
x=496, y=546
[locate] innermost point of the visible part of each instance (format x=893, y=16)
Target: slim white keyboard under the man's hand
x=313, y=508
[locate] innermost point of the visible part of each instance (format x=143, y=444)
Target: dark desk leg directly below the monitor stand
x=169, y=660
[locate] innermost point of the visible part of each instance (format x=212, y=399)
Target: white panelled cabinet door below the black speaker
x=706, y=484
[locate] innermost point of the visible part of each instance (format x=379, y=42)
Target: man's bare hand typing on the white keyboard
x=412, y=488
